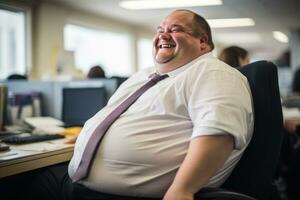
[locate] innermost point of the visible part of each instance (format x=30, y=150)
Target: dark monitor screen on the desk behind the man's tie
x=80, y=104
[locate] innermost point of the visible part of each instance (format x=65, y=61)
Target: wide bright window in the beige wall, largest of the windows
x=92, y=47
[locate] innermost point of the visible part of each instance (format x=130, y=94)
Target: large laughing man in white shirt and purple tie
x=186, y=132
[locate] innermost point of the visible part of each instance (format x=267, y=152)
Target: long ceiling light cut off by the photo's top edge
x=156, y=4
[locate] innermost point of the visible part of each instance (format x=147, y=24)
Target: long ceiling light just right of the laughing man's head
x=230, y=22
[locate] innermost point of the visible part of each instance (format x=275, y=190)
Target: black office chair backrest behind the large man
x=254, y=172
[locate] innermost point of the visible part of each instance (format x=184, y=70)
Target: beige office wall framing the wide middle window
x=49, y=20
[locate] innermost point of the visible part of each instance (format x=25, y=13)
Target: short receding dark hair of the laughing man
x=200, y=27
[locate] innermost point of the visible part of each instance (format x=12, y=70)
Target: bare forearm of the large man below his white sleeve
x=206, y=155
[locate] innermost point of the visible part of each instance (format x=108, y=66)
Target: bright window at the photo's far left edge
x=12, y=43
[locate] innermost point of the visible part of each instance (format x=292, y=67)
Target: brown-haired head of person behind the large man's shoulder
x=234, y=56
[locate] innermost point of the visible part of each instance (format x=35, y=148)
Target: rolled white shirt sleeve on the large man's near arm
x=221, y=103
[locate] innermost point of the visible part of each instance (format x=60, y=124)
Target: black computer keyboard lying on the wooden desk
x=16, y=139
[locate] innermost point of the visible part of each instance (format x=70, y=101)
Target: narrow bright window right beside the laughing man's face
x=145, y=53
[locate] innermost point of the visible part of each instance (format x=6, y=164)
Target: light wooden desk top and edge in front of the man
x=22, y=158
